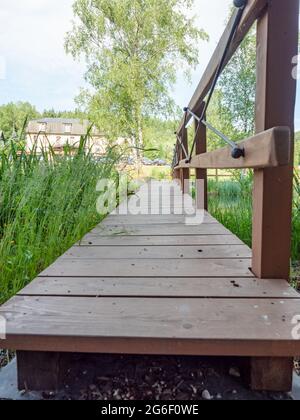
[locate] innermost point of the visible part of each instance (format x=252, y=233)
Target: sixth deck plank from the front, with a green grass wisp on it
x=161, y=230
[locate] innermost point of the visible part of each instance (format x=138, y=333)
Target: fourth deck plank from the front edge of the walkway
x=158, y=252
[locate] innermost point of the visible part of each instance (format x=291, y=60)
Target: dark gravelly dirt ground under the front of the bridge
x=108, y=377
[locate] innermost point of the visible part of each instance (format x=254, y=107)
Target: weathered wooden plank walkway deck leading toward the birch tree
x=151, y=284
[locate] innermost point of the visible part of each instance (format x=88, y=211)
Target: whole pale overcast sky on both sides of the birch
x=35, y=68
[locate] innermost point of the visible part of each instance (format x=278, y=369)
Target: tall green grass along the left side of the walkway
x=47, y=203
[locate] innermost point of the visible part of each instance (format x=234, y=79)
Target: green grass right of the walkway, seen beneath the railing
x=231, y=203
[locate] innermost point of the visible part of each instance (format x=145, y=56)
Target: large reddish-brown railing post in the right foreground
x=277, y=38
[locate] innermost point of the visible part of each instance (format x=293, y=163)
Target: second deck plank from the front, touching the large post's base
x=160, y=287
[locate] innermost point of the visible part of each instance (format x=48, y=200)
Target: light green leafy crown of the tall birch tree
x=133, y=49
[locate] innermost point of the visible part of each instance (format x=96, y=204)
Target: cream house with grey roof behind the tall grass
x=58, y=133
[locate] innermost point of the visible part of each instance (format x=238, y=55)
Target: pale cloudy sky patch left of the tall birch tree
x=32, y=34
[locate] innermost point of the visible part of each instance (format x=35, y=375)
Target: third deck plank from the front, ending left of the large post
x=150, y=268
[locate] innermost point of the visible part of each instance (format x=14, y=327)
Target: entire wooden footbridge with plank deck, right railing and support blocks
x=169, y=284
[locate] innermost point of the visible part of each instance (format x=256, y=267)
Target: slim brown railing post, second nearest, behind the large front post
x=201, y=174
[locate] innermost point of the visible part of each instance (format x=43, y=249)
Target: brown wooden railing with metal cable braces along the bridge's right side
x=270, y=152
